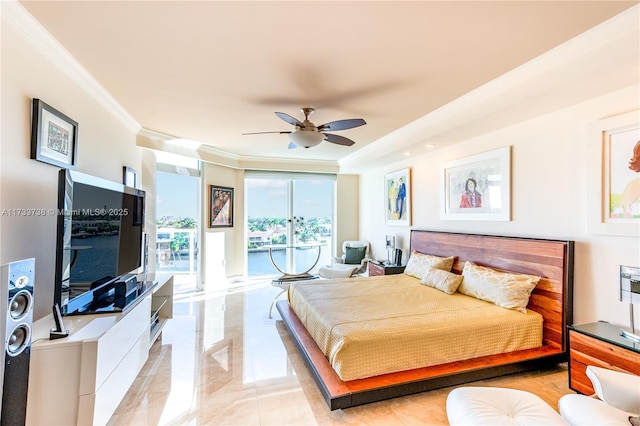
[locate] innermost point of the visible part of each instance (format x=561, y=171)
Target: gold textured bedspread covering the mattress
x=376, y=325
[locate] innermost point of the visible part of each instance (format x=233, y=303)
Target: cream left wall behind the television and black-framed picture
x=105, y=145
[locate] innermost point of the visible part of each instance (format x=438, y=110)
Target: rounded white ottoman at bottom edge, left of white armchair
x=498, y=406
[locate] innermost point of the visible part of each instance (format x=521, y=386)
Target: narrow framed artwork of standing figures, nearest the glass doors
x=397, y=188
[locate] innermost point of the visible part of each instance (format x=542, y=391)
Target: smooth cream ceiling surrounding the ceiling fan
x=209, y=71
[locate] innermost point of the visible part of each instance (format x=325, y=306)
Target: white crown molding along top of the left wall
x=26, y=26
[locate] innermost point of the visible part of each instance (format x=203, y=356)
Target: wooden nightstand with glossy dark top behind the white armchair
x=599, y=344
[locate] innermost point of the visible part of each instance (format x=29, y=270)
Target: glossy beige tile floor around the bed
x=223, y=361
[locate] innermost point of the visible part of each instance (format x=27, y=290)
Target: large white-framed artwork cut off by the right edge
x=614, y=202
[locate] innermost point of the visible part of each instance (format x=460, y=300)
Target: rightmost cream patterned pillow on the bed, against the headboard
x=505, y=289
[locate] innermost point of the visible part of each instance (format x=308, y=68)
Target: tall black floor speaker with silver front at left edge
x=16, y=292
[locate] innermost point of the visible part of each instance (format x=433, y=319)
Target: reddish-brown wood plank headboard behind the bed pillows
x=552, y=260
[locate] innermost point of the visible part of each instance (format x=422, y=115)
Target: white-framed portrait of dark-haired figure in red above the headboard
x=477, y=187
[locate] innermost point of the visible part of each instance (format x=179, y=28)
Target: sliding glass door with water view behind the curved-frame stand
x=289, y=222
